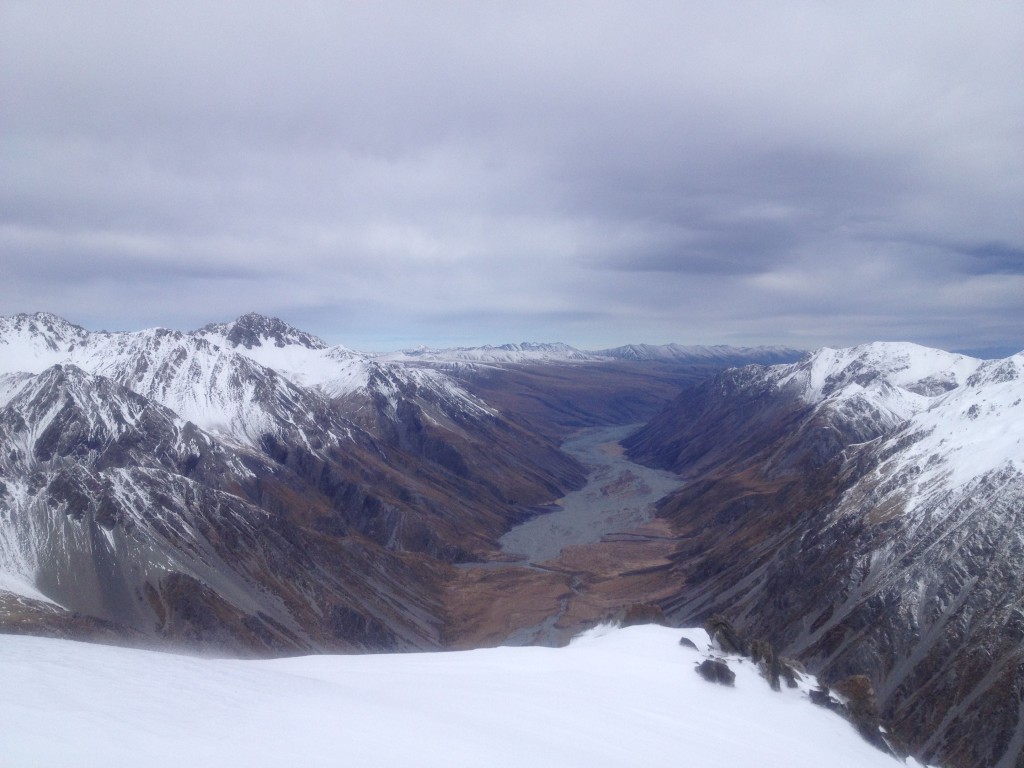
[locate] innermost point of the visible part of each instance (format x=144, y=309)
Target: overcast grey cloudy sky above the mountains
x=388, y=175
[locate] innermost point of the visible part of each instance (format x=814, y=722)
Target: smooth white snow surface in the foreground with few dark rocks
x=615, y=698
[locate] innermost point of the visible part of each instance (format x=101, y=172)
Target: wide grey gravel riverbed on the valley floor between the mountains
x=619, y=496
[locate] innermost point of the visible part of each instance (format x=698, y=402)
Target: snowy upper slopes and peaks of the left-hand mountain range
x=243, y=380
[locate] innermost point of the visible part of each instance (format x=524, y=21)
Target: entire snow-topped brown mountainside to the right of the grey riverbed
x=863, y=510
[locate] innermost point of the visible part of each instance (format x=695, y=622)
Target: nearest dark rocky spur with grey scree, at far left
x=117, y=509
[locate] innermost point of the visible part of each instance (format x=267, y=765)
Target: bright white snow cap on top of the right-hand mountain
x=944, y=419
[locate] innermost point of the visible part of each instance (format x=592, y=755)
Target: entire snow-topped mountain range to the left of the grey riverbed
x=162, y=486
